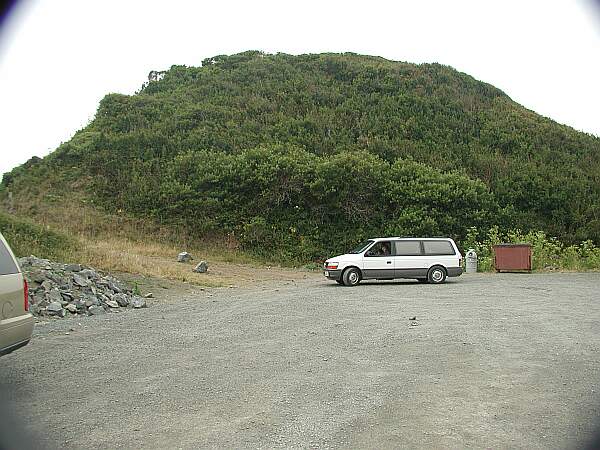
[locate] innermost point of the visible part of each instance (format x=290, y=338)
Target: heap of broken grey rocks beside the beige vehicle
x=57, y=289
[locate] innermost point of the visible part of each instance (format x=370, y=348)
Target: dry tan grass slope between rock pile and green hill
x=118, y=243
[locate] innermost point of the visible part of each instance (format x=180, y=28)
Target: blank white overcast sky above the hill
x=58, y=58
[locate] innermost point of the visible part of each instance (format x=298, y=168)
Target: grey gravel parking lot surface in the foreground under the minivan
x=491, y=361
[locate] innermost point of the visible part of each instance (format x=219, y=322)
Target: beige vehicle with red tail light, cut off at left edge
x=16, y=322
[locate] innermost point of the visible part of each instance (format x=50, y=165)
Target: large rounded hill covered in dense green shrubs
x=298, y=157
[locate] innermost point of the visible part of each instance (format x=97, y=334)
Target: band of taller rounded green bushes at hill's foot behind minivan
x=290, y=205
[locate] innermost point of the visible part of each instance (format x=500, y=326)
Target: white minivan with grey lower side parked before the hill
x=429, y=260
